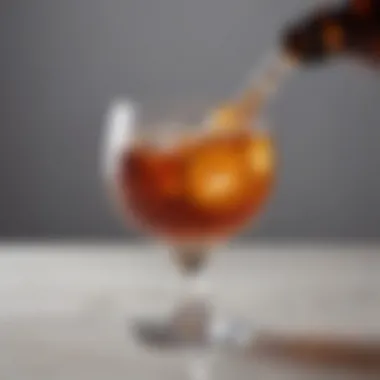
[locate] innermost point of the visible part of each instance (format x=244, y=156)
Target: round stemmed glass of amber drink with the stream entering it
x=193, y=181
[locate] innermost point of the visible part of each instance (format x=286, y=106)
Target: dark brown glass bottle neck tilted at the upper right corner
x=350, y=29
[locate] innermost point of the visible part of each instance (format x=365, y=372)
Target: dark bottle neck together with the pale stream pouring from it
x=348, y=29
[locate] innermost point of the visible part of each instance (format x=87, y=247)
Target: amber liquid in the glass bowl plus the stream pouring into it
x=208, y=187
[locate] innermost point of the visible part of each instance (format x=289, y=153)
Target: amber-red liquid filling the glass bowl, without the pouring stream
x=204, y=188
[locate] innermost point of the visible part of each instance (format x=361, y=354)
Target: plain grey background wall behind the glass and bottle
x=62, y=61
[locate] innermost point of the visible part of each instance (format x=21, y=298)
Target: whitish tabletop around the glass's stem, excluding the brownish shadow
x=63, y=308
